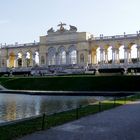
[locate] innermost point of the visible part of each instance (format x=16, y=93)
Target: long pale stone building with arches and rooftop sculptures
x=69, y=47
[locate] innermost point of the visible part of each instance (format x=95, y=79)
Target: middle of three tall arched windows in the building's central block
x=61, y=56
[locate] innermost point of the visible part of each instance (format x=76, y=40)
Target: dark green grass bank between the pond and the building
x=74, y=83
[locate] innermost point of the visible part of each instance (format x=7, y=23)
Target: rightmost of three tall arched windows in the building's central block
x=72, y=55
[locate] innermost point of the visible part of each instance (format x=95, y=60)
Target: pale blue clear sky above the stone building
x=23, y=21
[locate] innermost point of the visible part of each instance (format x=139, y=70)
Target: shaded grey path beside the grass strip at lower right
x=121, y=123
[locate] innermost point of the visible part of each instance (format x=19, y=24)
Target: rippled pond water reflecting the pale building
x=13, y=106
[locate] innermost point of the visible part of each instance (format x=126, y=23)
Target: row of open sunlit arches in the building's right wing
x=110, y=54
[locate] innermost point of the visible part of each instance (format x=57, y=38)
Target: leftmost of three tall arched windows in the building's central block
x=51, y=56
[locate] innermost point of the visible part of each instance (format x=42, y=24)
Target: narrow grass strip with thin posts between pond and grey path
x=20, y=129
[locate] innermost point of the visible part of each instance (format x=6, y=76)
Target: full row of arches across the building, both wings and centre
x=65, y=56
